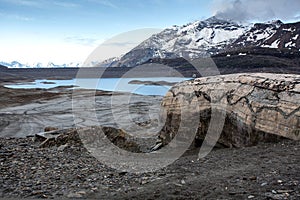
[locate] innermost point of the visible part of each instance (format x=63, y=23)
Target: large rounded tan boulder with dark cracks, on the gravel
x=245, y=108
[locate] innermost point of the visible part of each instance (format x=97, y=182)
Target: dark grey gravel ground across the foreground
x=266, y=171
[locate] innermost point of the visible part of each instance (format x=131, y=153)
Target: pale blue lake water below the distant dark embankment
x=106, y=84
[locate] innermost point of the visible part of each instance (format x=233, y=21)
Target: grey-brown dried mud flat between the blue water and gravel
x=25, y=112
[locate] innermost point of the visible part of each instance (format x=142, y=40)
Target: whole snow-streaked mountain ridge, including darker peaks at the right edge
x=210, y=37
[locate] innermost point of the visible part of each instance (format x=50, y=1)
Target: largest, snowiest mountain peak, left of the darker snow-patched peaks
x=200, y=38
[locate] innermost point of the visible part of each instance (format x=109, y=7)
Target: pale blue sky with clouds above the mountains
x=64, y=31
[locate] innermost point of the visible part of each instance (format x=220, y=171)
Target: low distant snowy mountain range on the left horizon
x=16, y=64
